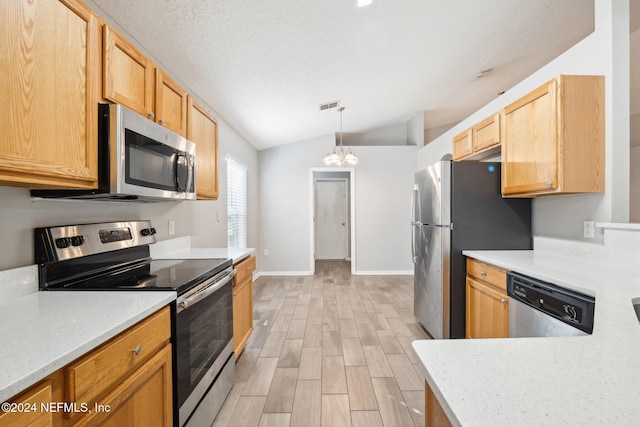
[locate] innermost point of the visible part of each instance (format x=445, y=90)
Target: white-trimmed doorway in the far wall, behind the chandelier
x=332, y=213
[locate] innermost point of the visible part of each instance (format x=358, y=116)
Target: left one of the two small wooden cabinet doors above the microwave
x=128, y=74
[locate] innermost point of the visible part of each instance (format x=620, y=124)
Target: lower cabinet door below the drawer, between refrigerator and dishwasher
x=487, y=311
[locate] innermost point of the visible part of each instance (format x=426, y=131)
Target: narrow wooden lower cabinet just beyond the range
x=243, y=304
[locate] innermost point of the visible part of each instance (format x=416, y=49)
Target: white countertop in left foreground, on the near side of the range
x=43, y=331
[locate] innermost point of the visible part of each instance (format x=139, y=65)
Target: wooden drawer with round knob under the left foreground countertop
x=104, y=368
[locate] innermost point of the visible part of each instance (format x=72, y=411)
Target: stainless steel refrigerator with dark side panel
x=458, y=206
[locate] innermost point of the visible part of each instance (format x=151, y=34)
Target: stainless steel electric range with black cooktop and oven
x=115, y=256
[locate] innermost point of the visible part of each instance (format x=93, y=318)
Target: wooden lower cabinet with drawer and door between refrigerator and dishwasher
x=487, y=312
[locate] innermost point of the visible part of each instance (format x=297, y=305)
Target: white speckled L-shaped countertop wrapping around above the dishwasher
x=588, y=381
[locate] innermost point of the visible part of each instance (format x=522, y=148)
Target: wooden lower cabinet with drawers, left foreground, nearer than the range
x=124, y=382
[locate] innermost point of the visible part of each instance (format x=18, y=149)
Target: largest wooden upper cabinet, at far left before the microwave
x=49, y=93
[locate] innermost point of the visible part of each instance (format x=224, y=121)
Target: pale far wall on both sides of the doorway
x=383, y=182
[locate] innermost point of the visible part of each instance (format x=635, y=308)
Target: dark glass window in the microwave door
x=149, y=163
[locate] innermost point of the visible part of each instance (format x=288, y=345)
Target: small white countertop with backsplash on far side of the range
x=180, y=248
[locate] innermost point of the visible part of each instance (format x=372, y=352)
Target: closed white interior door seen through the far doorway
x=331, y=219
